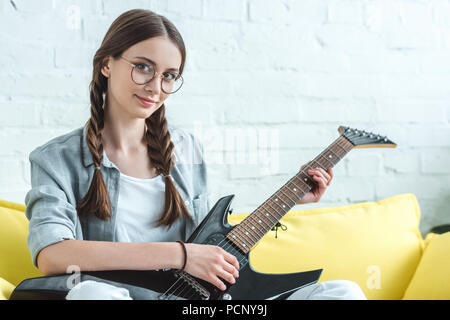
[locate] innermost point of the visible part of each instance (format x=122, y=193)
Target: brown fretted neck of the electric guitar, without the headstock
x=246, y=234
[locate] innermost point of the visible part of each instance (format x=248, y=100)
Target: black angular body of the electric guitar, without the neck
x=167, y=284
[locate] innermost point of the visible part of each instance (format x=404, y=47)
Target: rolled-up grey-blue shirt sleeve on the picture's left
x=51, y=217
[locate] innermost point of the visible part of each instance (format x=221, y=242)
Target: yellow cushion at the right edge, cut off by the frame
x=432, y=277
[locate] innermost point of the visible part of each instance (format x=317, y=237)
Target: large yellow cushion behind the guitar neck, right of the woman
x=375, y=244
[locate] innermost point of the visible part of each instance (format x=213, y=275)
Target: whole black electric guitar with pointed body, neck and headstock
x=238, y=240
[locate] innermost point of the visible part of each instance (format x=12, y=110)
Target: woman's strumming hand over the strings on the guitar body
x=209, y=262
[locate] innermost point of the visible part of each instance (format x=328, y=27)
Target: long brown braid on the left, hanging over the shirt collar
x=96, y=199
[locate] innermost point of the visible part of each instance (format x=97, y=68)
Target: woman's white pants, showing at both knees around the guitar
x=328, y=290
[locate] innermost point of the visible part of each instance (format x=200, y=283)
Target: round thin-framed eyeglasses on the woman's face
x=142, y=73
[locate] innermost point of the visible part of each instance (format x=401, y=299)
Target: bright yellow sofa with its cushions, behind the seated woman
x=376, y=244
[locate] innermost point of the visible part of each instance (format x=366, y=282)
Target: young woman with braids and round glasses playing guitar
x=119, y=192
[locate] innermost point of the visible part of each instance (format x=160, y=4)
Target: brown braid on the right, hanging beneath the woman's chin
x=160, y=149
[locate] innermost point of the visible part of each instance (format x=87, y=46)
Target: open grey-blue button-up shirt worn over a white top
x=62, y=171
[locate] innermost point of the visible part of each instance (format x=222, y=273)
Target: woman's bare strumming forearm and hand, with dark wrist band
x=207, y=262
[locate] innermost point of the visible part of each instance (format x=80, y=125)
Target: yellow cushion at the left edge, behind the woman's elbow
x=15, y=258
